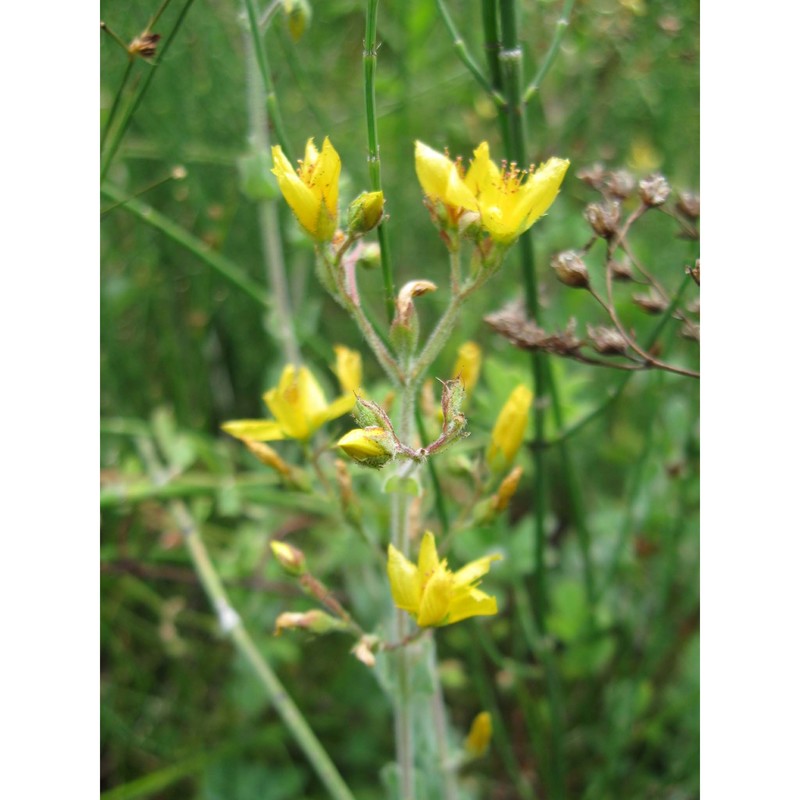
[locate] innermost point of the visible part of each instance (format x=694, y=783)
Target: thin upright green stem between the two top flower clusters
x=374, y=154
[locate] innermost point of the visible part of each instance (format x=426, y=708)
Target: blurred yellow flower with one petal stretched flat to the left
x=299, y=407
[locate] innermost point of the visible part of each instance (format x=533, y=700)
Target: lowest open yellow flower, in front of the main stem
x=432, y=593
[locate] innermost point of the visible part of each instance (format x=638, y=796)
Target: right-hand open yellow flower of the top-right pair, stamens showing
x=511, y=200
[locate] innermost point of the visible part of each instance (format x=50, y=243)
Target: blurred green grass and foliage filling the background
x=182, y=350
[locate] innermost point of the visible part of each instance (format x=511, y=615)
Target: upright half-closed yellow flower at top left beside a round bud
x=312, y=191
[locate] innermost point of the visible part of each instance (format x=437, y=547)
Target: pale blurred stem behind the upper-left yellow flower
x=267, y=209
